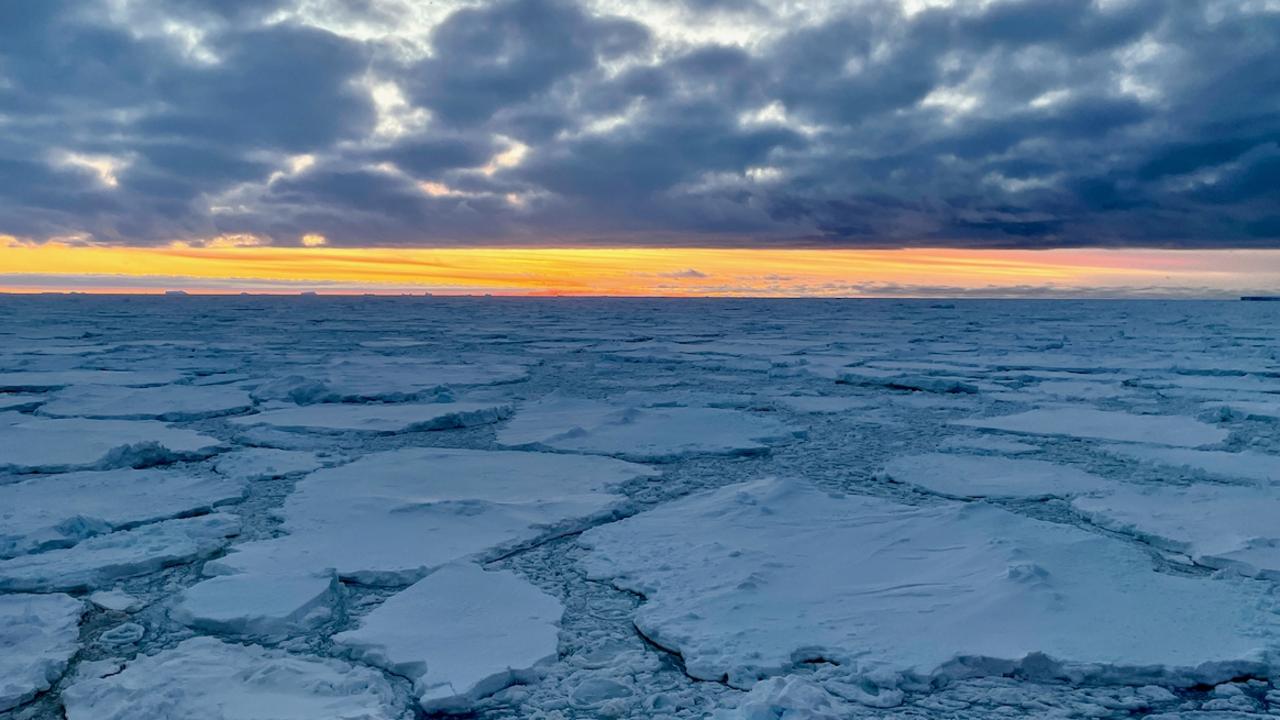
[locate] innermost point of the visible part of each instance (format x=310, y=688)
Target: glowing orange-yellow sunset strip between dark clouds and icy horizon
x=641, y=272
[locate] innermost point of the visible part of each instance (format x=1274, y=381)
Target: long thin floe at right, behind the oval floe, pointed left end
x=1105, y=425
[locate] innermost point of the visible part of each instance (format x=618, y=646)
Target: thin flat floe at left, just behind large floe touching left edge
x=163, y=403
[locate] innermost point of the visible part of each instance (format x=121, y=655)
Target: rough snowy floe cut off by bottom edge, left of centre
x=211, y=680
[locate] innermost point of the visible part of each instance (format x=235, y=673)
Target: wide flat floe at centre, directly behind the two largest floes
x=655, y=435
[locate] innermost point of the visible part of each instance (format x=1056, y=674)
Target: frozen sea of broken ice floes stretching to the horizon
x=316, y=508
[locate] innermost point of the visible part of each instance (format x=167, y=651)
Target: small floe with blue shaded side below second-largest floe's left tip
x=250, y=605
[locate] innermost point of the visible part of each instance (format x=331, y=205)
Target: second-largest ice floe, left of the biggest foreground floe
x=394, y=517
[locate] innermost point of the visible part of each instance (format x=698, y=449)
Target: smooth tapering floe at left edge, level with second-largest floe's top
x=45, y=512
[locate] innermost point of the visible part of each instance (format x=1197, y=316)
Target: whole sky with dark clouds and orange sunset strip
x=1005, y=148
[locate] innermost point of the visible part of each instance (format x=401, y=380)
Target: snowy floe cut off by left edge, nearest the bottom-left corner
x=39, y=636
